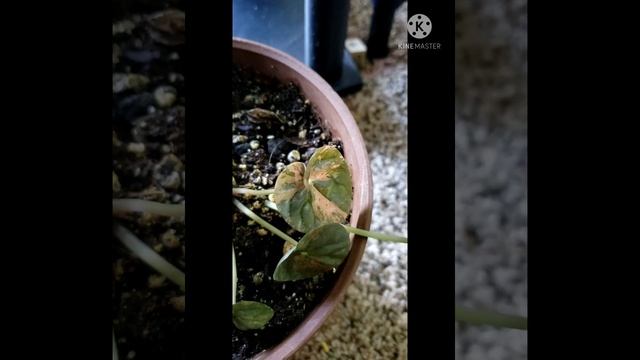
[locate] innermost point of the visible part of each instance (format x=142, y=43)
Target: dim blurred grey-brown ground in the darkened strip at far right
x=491, y=179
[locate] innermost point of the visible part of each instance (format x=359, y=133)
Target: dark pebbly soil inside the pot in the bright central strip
x=284, y=129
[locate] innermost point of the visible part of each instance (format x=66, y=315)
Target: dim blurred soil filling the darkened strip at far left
x=148, y=163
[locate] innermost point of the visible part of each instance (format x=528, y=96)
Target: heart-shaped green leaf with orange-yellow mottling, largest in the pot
x=318, y=194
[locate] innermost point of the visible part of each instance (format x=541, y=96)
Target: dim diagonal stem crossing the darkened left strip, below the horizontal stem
x=147, y=255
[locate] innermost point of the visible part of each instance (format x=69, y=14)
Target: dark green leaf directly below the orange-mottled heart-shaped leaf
x=320, y=250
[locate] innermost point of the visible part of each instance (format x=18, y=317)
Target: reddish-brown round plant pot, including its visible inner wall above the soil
x=336, y=117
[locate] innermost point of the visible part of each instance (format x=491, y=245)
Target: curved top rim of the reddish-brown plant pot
x=362, y=201
